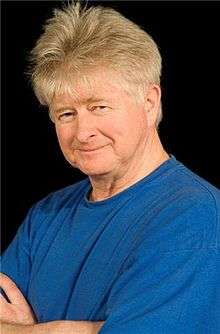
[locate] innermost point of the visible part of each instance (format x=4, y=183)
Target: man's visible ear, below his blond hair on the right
x=152, y=103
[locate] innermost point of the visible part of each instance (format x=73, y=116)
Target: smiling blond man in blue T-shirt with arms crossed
x=133, y=248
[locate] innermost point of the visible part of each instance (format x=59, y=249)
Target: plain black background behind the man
x=188, y=36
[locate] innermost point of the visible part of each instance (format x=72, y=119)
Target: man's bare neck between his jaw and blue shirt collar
x=106, y=186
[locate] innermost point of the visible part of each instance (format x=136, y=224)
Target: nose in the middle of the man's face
x=85, y=128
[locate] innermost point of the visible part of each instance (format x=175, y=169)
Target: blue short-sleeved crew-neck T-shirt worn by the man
x=144, y=261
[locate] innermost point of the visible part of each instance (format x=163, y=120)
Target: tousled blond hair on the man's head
x=77, y=39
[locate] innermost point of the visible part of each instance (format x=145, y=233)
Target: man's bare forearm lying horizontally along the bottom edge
x=54, y=327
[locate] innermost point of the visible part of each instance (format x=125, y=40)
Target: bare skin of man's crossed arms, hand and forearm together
x=17, y=316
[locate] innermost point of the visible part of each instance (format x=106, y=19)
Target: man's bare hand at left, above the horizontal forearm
x=17, y=311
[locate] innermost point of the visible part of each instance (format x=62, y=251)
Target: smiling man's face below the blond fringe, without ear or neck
x=101, y=129
